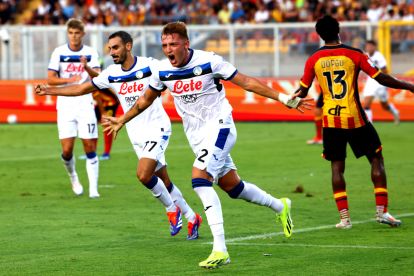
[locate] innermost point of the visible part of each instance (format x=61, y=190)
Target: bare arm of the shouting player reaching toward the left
x=114, y=124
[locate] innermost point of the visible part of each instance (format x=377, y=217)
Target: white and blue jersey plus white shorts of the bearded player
x=151, y=126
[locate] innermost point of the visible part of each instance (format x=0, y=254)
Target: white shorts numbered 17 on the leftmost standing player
x=78, y=123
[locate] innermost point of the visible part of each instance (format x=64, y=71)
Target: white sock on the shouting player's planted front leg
x=212, y=209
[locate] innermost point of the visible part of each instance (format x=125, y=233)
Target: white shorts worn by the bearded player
x=152, y=146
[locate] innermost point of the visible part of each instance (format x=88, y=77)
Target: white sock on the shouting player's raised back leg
x=254, y=194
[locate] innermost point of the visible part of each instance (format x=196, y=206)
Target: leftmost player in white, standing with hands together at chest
x=75, y=115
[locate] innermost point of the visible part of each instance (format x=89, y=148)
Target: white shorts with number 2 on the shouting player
x=213, y=152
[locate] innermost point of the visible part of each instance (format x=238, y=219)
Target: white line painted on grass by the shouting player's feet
x=303, y=230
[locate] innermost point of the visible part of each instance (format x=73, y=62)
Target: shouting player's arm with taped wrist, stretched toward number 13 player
x=252, y=84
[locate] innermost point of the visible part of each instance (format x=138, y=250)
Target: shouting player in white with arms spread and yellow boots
x=193, y=78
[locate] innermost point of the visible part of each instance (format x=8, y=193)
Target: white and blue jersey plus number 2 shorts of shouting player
x=200, y=100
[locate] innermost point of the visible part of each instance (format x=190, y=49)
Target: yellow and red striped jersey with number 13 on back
x=337, y=68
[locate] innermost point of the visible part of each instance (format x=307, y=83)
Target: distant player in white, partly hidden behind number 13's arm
x=373, y=89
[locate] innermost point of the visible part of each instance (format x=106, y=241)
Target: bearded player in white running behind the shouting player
x=149, y=134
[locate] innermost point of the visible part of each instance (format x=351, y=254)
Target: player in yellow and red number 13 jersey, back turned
x=336, y=66
